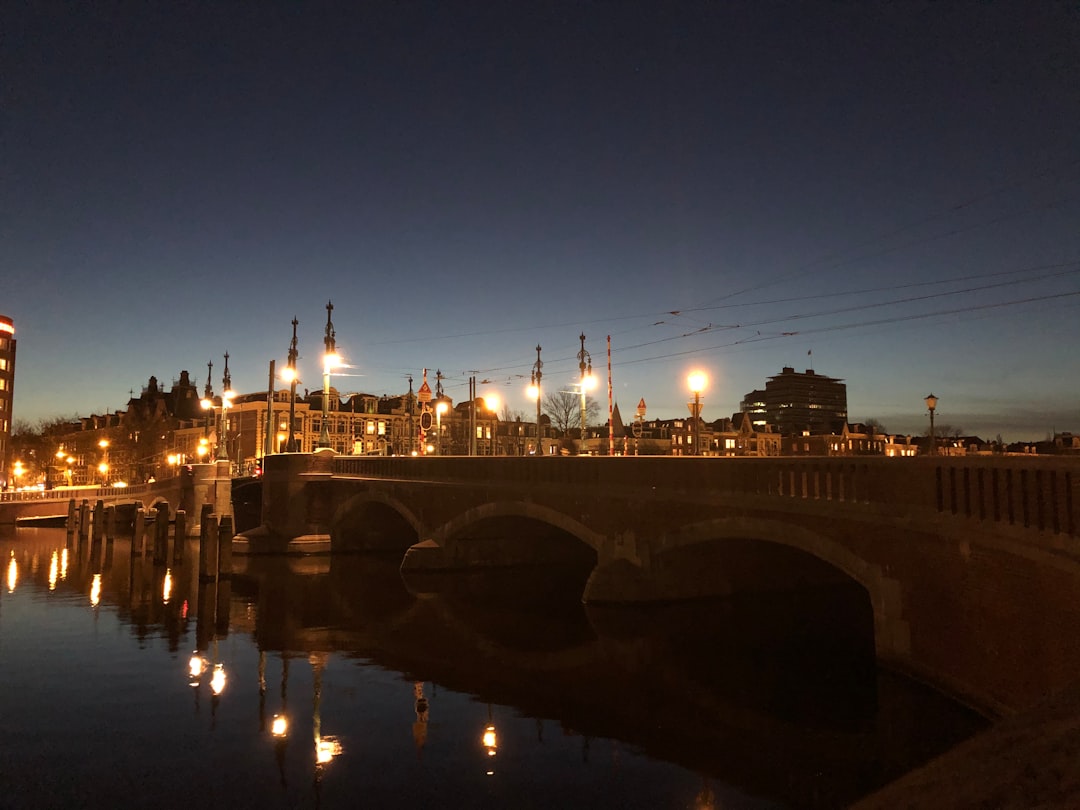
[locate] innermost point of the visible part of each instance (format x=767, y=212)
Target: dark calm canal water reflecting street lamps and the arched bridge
x=330, y=683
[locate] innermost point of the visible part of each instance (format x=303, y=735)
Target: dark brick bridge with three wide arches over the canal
x=970, y=566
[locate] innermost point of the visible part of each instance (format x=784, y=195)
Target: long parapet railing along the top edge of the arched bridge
x=1036, y=493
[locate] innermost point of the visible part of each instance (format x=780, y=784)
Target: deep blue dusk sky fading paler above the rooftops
x=725, y=186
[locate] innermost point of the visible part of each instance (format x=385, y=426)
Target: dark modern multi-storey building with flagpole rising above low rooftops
x=796, y=403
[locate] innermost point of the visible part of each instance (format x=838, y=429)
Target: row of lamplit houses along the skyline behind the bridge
x=163, y=429
